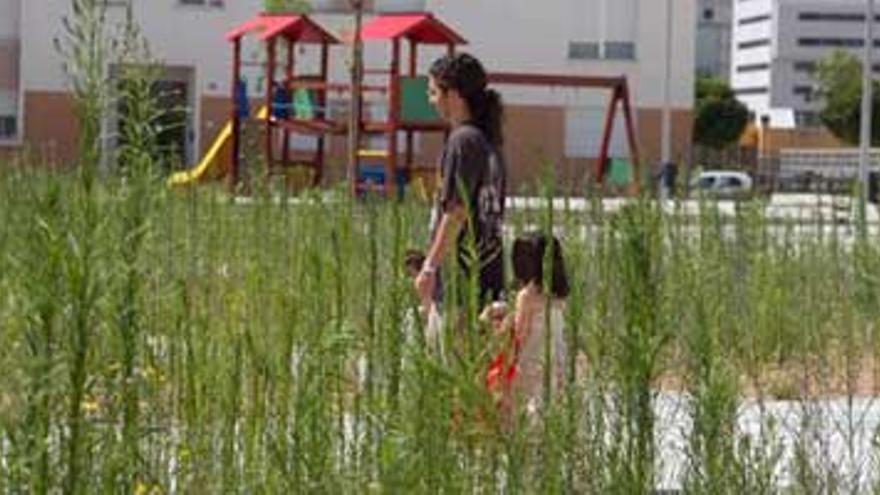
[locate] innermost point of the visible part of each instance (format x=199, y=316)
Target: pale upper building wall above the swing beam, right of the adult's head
x=534, y=36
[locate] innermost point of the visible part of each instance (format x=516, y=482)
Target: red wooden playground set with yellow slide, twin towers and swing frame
x=297, y=103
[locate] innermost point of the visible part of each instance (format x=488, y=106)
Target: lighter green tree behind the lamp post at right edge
x=839, y=81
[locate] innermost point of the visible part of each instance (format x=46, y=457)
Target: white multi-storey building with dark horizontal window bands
x=776, y=46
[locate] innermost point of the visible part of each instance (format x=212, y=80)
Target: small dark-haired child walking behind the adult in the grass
x=516, y=376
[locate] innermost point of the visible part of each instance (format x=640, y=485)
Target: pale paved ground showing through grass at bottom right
x=837, y=436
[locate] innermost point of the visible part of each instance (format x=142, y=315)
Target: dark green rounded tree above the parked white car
x=720, y=117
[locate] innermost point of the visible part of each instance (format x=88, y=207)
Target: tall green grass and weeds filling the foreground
x=183, y=341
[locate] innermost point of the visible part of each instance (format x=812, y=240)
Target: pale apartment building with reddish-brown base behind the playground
x=579, y=37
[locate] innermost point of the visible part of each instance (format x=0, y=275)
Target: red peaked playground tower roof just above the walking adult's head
x=421, y=28
